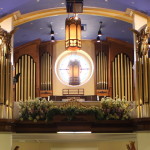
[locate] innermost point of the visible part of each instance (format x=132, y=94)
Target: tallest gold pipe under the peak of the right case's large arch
x=122, y=77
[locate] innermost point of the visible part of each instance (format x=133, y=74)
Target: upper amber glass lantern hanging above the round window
x=73, y=33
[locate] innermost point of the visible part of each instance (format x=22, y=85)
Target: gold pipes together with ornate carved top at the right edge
x=142, y=72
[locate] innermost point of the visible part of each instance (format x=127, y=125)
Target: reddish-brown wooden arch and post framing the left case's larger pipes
x=32, y=49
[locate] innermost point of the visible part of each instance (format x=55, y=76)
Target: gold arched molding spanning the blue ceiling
x=24, y=18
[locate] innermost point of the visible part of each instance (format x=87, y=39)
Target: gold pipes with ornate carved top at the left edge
x=5, y=74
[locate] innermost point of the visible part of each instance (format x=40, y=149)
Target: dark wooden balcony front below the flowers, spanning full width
x=96, y=126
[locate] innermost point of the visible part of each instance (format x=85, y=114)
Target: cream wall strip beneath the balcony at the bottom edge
x=106, y=145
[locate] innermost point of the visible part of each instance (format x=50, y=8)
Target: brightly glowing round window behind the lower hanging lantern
x=85, y=69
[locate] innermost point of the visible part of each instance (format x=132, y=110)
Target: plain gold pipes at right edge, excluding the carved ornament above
x=144, y=85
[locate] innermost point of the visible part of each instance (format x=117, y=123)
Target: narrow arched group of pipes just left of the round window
x=46, y=74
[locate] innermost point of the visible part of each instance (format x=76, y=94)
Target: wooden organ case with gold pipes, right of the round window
x=114, y=73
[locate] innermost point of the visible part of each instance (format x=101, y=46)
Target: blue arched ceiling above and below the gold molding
x=39, y=28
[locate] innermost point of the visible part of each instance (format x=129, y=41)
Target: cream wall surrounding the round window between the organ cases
x=89, y=88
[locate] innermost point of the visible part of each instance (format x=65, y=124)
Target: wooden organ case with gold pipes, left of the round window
x=34, y=61
